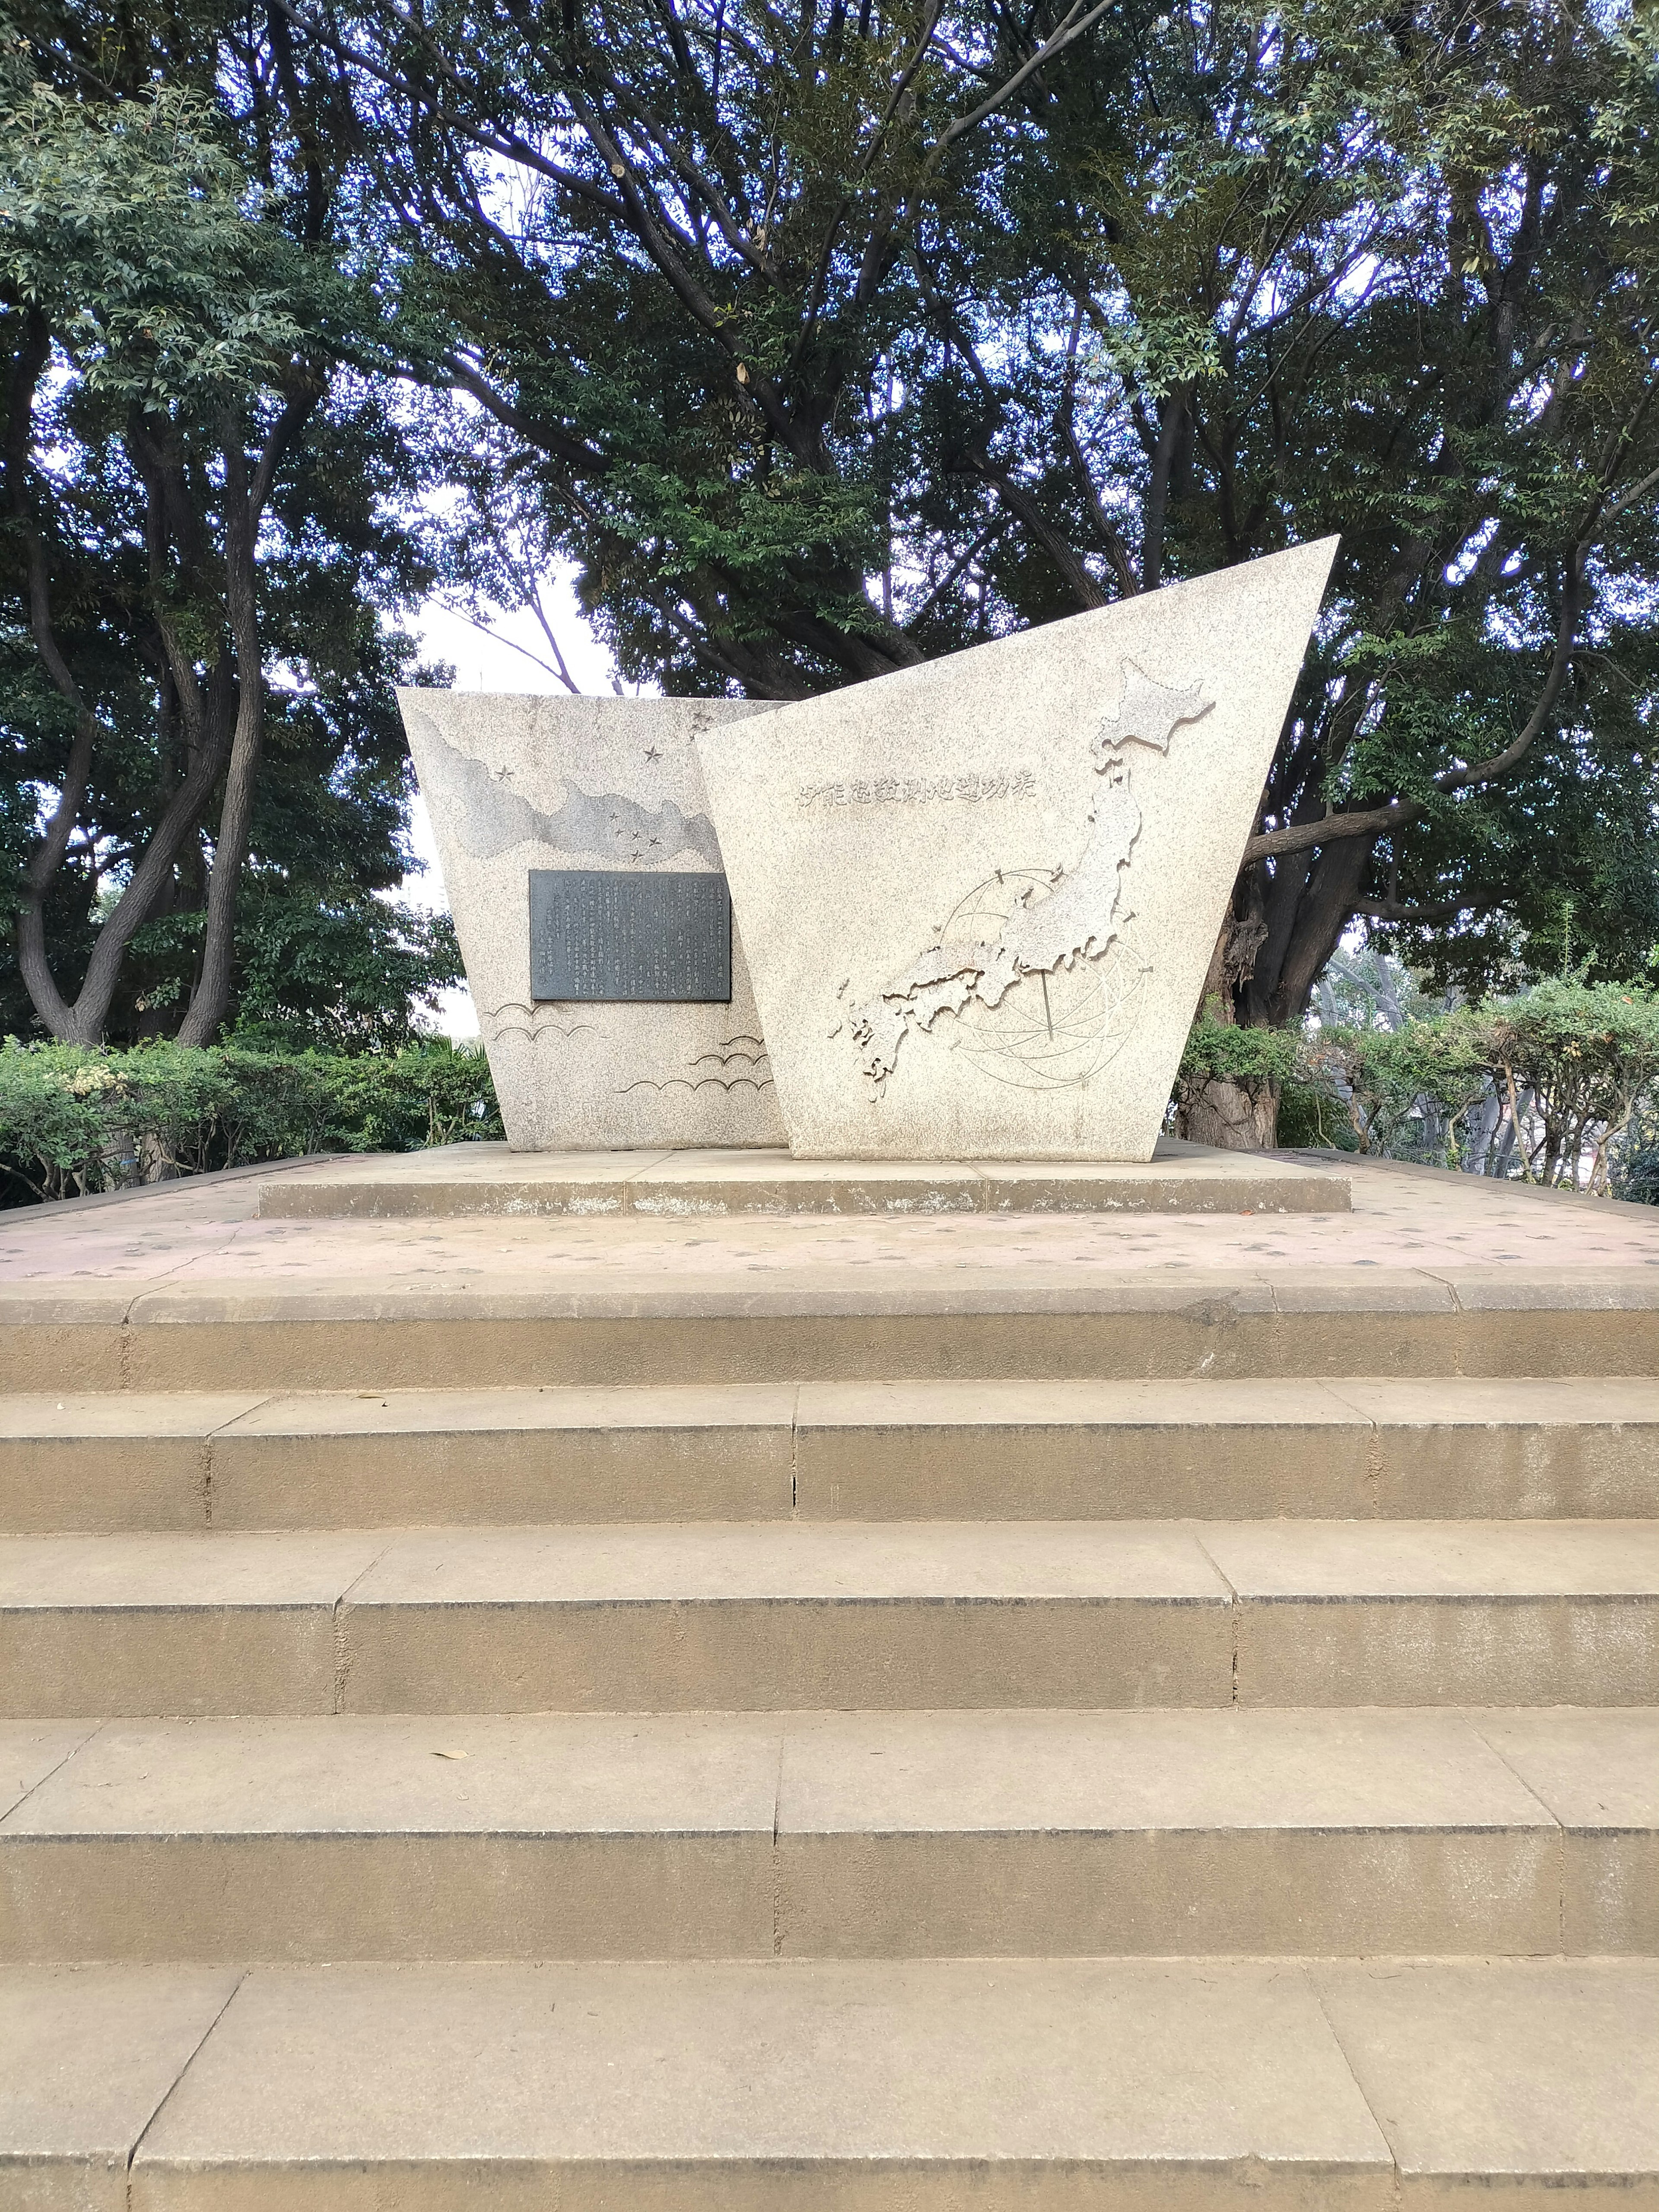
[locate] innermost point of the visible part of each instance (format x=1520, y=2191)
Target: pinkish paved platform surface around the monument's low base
x=1408, y=1227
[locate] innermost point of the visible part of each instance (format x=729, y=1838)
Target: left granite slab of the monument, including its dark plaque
x=594, y=919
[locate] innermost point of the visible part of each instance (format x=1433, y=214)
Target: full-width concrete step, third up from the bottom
x=773, y=1616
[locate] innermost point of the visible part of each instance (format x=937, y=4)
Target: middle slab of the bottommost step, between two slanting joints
x=771, y=2087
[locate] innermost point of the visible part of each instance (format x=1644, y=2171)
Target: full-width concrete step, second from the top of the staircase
x=1065, y=1450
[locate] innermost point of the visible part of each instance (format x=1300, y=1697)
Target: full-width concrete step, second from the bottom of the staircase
x=833, y=1835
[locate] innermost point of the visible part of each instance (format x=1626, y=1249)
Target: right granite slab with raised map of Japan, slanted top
x=981, y=897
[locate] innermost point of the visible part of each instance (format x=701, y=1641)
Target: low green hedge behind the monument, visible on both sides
x=1547, y=1085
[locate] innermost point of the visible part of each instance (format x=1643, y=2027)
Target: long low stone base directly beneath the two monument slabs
x=494, y=1180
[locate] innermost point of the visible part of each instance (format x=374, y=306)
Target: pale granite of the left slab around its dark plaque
x=530, y=784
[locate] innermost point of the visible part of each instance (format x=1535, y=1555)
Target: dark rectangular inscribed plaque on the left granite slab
x=609, y=935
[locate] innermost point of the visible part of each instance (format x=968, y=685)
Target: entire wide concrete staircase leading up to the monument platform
x=1158, y=1751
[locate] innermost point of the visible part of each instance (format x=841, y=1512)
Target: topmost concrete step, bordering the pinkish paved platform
x=824, y=1324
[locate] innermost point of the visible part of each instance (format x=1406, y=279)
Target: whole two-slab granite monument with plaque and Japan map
x=970, y=908
